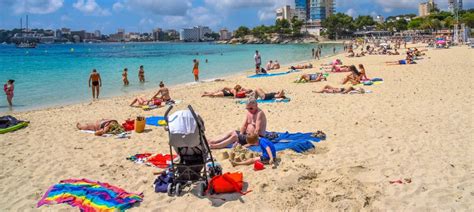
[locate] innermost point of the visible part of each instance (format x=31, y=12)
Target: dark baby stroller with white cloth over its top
x=195, y=164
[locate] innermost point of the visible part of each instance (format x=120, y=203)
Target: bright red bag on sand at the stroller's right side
x=227, y=183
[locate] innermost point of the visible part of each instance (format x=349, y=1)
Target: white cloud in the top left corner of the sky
x=34, y=6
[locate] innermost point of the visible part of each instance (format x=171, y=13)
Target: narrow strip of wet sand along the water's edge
x=172, y=87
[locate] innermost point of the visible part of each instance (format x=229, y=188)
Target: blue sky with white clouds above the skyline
x=145, y=15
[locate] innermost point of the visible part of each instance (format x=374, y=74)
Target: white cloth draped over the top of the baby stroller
x=182, y=122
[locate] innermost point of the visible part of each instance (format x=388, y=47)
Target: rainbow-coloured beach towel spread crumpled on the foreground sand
x=90, y=195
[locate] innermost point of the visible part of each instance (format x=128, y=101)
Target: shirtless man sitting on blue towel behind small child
x=255, y=123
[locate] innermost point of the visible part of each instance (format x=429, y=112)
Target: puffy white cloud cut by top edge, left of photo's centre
x=161, y=7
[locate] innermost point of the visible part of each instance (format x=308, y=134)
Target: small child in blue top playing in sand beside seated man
x=268, y=151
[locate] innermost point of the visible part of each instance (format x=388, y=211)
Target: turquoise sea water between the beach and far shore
x=58, y=74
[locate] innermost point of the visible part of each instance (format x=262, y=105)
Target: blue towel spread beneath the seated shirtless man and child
x=298, y=142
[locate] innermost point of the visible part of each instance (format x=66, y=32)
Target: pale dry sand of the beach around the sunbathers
x=417, y=125
